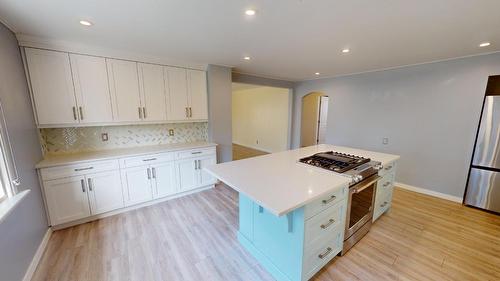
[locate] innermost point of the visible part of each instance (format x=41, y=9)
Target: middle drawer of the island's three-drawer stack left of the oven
x=325, y=223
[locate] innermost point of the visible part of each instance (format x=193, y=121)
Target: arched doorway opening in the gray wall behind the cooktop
x=313, y=119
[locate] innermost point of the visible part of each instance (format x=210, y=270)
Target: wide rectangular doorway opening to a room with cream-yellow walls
x=261, y=118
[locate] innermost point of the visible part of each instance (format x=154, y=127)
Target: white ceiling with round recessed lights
x=289, y=39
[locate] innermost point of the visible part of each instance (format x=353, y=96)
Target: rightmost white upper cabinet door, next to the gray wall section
x=197, y=86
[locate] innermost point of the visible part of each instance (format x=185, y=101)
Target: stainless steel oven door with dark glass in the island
x=360, y=205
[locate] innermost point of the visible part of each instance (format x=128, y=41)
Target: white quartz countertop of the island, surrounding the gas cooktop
x=279, y=183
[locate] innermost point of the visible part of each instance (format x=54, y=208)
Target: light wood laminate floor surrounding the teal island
x=194, y=238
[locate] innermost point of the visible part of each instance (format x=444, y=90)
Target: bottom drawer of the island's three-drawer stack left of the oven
x=321, y=252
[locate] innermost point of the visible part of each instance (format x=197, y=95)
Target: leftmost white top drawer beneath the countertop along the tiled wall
x=78, y=169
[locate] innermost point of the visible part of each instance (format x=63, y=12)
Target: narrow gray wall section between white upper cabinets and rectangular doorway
x=219, y=108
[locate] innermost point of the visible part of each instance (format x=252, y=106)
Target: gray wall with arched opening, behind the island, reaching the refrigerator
x=430, y=114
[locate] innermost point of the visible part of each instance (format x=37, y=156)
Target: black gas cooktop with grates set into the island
x=335, y=161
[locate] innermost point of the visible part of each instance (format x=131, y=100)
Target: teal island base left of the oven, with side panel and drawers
x=298, y=244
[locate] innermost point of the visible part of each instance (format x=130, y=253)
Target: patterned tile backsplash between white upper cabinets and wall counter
x=80, y=139
